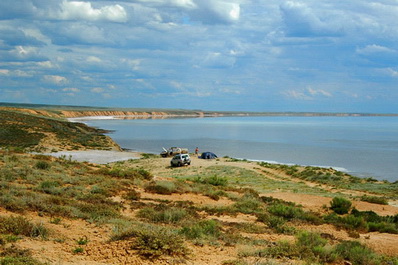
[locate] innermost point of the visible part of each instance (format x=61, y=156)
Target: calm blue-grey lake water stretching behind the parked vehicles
x=362, y=146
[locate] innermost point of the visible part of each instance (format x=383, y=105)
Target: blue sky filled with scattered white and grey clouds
x=252, y=55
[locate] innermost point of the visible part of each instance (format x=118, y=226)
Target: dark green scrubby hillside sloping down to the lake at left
x=20, y=130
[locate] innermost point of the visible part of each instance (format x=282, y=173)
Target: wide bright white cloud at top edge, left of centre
x=76, y=10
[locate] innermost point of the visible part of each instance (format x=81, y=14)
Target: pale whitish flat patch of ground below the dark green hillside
x=96, y=156
